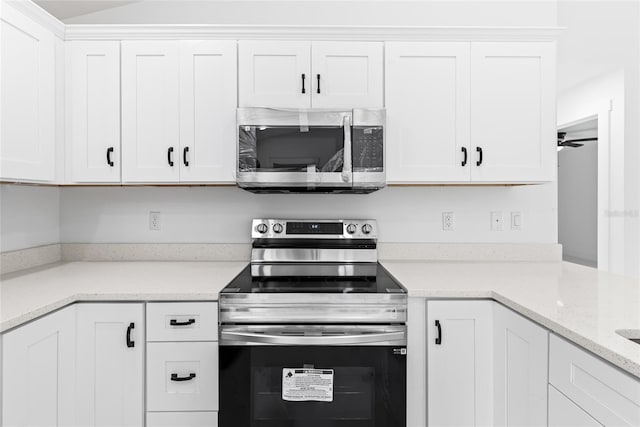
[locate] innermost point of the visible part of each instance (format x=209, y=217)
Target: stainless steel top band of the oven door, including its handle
x=343, y=335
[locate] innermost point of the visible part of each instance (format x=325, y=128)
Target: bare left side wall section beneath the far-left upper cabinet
x=29, y=216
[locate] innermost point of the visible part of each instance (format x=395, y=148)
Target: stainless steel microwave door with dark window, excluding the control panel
x=293, y=148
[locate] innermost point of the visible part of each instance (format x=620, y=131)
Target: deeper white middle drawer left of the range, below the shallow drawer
x=182, y=376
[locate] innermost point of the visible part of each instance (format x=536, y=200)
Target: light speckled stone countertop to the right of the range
x=582, y=304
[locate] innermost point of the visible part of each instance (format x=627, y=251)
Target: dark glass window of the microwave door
x=291, y=149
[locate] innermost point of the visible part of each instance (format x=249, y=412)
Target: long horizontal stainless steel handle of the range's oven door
x=356, y=339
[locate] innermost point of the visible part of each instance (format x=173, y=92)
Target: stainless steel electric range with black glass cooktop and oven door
x=313, y=331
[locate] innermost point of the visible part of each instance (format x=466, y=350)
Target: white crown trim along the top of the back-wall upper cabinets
x=305, y=32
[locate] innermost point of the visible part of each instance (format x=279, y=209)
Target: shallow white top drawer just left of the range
x=185, y=321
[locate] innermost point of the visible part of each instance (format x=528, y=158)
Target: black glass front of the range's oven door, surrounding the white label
x=368, y=386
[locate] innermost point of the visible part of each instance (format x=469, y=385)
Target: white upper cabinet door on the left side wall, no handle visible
x=27, y=115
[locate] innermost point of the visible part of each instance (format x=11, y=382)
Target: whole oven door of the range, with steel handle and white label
x=267, y=376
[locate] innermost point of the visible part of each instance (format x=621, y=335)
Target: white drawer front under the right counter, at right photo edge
x=606, y=393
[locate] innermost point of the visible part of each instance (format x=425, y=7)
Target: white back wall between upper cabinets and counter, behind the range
x=206, y=214
